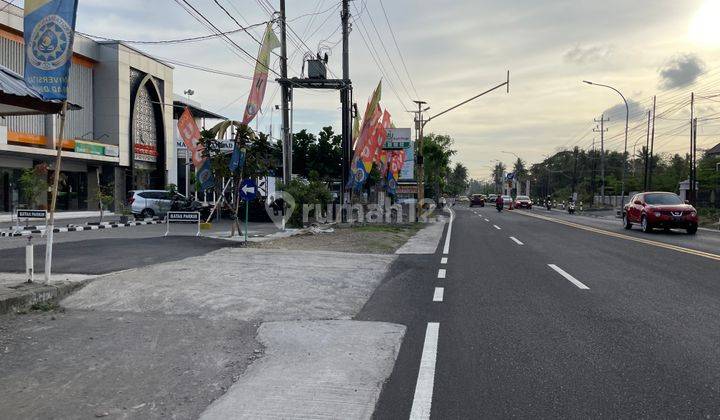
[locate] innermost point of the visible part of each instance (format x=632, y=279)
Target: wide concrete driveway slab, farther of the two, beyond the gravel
x=243, y=284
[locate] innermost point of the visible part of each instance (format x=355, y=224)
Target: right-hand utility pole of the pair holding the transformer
x=345, y=100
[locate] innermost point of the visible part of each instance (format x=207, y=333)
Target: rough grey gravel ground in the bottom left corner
x=86, y=364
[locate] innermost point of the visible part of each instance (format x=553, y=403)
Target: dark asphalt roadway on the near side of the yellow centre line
x=619, y=328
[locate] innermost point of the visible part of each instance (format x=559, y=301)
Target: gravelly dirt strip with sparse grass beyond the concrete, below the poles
x=369, y=239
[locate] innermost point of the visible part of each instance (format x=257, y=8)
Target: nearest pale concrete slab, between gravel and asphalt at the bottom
x=314, y=370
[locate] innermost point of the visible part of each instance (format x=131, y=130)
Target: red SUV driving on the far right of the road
x=660, y=210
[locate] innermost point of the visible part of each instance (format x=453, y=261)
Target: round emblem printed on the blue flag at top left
x=49, y=46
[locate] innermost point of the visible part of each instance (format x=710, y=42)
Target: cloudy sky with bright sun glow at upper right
x=454, y=49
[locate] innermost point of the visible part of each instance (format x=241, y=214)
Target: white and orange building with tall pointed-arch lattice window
x=121, y=139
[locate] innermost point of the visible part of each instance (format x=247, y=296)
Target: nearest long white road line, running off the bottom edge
x=422, y=401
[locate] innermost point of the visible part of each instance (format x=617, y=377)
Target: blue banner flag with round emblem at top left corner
x=49, y=33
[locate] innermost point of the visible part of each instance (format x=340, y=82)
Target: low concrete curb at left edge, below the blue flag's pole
x=27, y=294
